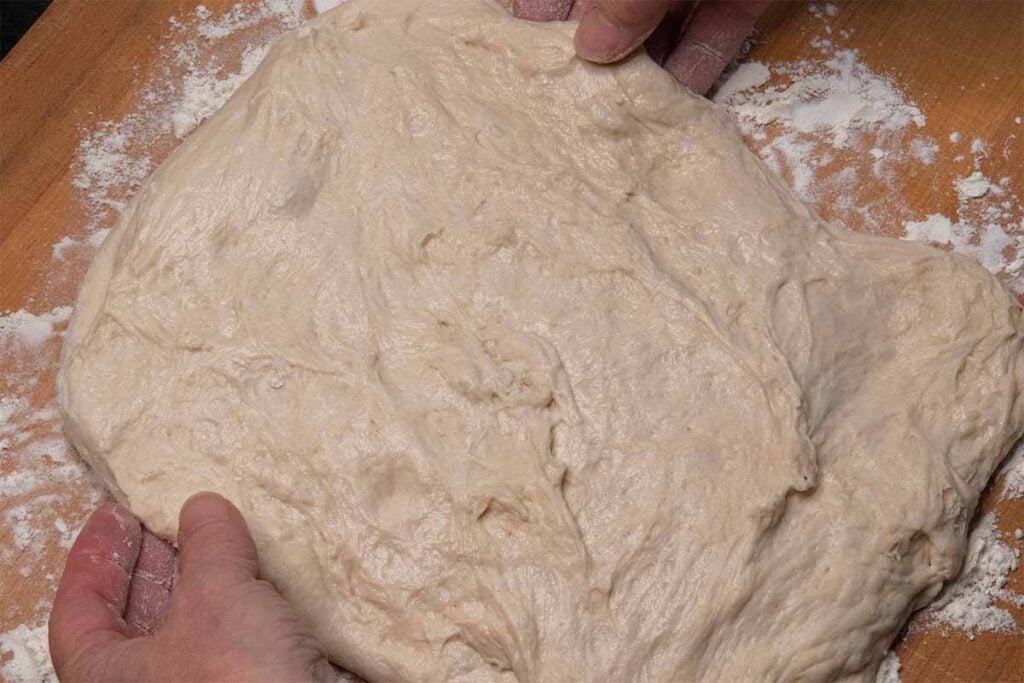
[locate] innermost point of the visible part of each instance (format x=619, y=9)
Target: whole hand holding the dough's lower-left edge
x=120, y=614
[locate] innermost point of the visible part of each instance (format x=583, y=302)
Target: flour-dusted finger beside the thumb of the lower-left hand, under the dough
x=150, y=593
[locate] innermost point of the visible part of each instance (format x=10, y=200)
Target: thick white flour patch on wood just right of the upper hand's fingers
x=825, y=124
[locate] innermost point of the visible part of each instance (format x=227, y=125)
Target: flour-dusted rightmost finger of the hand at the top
x=712, y=40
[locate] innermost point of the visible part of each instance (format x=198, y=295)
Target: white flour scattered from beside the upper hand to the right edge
x=831, y=124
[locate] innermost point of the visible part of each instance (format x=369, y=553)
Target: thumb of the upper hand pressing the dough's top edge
x=613, y=29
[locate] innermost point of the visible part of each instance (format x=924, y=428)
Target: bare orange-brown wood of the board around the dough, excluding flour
x=87, y=62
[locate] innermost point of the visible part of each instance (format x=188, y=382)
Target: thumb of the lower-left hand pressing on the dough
x=215, y=545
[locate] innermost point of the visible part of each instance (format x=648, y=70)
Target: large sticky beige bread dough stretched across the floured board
x=526, y=369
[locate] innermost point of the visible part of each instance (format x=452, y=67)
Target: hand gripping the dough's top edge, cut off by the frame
x=694, y=40
